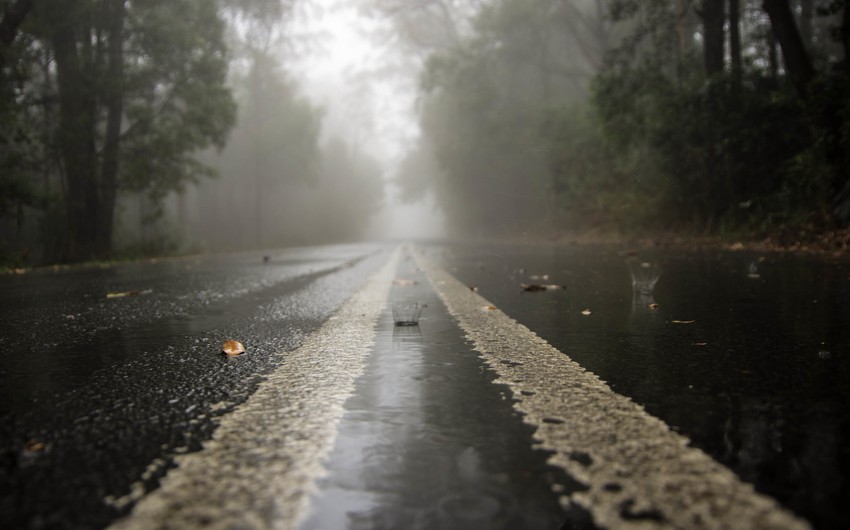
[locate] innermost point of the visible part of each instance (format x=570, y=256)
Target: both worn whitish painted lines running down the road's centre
x=260, y=467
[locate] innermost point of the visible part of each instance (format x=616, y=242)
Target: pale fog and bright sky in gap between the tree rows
x=347, y=69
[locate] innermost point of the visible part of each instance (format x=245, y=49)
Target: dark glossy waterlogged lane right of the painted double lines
x=748, y=355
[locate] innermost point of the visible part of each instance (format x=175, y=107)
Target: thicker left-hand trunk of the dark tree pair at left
x=76, y=142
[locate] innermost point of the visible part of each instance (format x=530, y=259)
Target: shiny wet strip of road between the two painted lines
x=428, y=441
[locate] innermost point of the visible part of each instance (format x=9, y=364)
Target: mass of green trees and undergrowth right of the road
x=628, y=115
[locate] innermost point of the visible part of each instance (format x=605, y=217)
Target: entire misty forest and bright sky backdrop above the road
x=154, y=127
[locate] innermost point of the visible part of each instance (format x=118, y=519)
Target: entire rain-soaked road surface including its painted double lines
x=430, y=435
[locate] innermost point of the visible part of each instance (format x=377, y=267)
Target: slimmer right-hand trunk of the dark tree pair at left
x=113, y=98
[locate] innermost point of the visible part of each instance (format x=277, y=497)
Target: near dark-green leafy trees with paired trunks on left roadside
x=109, y=96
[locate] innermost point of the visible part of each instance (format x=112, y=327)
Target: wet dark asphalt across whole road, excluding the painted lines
x=745, y=354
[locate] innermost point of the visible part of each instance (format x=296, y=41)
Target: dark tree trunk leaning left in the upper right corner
x=797, y=61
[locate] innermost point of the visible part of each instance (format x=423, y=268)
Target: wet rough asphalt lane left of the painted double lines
x=98, y=394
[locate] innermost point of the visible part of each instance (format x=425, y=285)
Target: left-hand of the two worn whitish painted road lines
x=259, y=469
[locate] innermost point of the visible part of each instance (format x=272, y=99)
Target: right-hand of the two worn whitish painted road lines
x=639, y=473
